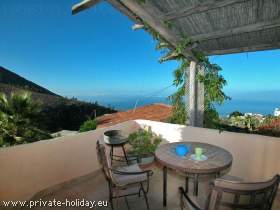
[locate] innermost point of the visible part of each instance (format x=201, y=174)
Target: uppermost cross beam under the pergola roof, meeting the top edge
x=199, y=8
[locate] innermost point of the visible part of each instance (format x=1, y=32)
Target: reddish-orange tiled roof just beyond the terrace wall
x=155, y=112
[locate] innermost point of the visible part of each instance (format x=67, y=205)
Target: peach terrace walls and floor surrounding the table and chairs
x=67, y=167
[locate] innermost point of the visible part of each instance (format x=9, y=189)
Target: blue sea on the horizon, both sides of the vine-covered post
x=242, y=105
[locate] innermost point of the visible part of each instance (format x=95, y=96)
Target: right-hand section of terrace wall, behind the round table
x=255, y=157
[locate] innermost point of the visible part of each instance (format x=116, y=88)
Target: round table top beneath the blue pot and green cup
x=218, y=158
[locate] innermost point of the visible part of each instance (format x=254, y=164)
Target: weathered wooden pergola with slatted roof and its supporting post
x=217, y=27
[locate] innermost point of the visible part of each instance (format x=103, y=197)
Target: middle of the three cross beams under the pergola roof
x=238, y=30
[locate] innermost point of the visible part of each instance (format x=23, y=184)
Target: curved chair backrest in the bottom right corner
x=229, y=195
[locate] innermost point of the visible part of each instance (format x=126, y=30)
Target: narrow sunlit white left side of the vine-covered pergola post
x=192, y=94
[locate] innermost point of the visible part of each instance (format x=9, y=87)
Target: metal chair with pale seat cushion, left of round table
x=123, y=181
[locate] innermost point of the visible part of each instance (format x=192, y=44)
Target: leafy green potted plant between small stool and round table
x=144, y=141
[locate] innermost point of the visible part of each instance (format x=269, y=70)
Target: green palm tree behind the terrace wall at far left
x=18, y=114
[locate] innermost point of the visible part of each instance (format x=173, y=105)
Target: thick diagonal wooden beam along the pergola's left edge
x=152, y=19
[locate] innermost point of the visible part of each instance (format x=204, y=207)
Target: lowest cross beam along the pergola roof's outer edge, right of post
x=254, y=48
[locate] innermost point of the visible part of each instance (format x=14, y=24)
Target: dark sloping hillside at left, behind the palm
x=58, y=113
